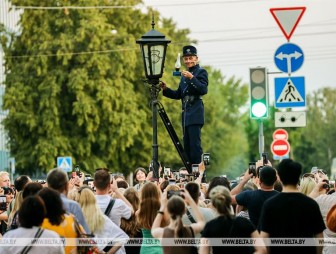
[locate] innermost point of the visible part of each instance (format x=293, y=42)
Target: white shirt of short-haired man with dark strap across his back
x=119, y=210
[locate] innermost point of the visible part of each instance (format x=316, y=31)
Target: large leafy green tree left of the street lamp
x=72, y=90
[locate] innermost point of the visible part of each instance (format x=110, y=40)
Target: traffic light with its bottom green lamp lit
x=258, y=93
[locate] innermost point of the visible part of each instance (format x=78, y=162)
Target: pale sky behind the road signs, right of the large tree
x=235, y=35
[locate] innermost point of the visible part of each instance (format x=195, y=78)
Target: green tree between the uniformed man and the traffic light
x=223, y=133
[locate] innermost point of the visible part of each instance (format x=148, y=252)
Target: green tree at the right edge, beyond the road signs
x=314, y=145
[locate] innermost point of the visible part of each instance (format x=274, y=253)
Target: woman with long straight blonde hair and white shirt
x=99, y=224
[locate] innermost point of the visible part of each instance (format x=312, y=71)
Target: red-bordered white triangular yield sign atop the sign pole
x=288, y=19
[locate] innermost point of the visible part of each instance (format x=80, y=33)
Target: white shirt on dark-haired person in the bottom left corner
x=30, y=233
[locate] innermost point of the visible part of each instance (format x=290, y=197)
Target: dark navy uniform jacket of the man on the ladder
x=190, y=91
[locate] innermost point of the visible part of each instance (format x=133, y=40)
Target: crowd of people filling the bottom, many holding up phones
x=271, y=204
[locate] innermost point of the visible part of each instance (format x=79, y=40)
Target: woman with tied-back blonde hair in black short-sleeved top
x=226, y=225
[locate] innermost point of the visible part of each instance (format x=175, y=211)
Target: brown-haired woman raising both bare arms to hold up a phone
x=176, y=208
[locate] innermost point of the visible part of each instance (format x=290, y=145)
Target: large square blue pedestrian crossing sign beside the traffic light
x=289, y=92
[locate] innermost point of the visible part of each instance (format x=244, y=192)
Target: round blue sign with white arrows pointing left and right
x=288, y=57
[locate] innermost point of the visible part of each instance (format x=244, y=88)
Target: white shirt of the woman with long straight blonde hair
x=112, y=233
